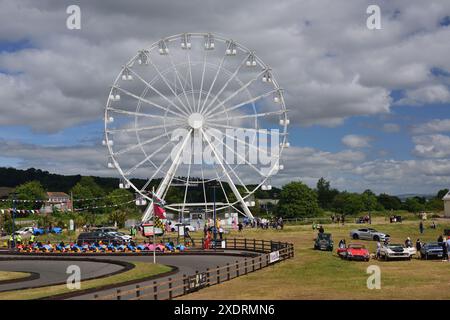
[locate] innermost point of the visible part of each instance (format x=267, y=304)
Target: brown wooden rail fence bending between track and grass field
x=267, y=253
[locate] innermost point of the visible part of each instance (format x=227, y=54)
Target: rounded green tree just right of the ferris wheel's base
x=297, y=200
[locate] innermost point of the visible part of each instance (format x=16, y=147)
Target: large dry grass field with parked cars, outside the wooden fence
x=322, y=275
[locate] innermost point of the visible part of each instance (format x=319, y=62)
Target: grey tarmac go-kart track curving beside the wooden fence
x=48, y=269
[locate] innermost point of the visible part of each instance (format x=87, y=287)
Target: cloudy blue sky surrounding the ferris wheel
x=373, y=114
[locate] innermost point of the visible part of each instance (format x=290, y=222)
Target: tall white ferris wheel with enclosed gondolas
x=188, y=112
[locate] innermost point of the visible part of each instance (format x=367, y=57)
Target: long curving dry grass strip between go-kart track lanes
x=141, y=270
